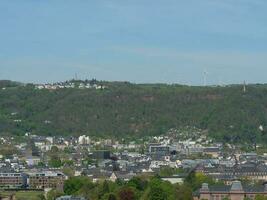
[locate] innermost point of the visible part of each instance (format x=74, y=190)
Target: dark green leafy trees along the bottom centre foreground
x=136, y=189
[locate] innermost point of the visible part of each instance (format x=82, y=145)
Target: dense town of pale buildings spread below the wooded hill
x=46, y=163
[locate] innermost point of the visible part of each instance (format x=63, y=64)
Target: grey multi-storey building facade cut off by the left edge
x=12, y=180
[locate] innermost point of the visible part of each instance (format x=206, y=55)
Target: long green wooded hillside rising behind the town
x=125, y=109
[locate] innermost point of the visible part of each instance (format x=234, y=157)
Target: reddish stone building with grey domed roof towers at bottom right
x=234, y=192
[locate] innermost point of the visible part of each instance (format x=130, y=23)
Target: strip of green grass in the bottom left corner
x=21, y=195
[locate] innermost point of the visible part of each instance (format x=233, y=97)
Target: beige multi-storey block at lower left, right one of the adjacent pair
x=44, y=180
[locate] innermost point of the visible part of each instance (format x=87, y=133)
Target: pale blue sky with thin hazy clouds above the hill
x=142, y=41
